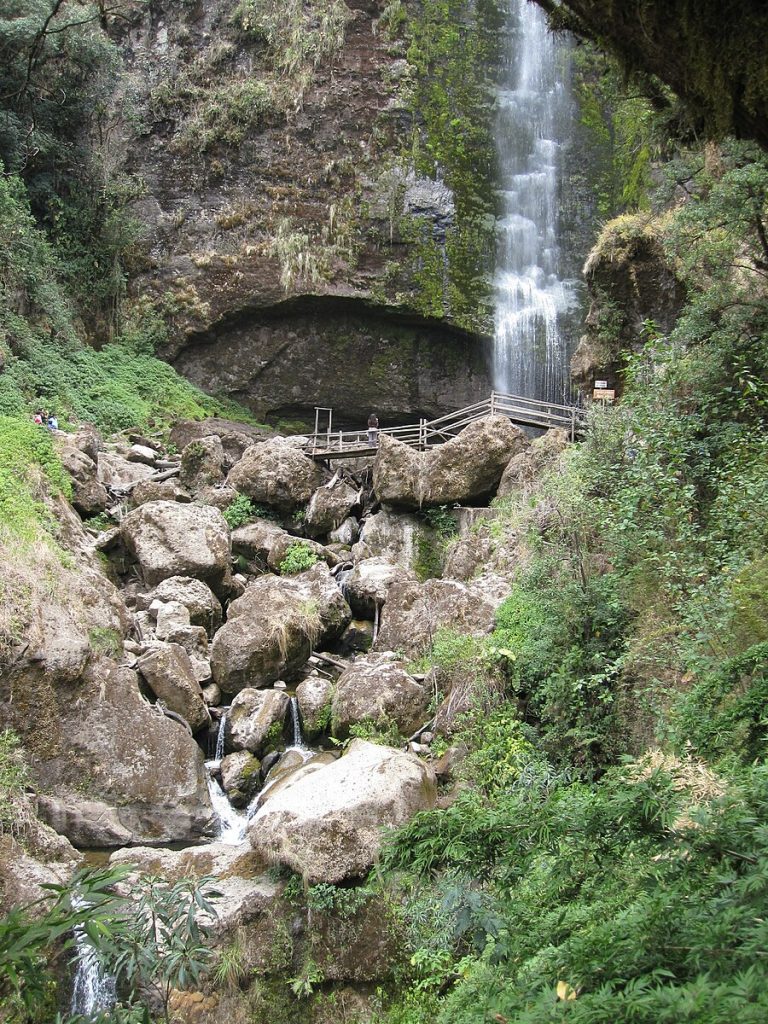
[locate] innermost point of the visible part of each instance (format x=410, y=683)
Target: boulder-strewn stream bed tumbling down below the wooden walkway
x=222, y=689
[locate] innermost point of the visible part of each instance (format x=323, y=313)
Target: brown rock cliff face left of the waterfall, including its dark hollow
x=269, y=151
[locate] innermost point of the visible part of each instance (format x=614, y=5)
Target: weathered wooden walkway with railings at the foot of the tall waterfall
x=328, y=444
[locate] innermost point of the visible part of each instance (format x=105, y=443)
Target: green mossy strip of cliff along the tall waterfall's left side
x=453, y=48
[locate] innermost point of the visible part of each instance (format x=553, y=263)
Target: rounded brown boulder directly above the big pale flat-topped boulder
x=381, y=692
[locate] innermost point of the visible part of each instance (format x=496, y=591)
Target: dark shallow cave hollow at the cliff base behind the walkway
x=340, y=354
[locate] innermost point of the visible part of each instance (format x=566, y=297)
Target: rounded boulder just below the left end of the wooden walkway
x=277, y=475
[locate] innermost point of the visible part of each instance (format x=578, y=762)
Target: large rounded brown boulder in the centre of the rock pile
x=272, y=629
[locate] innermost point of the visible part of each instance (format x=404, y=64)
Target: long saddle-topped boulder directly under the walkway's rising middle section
x=464, y=470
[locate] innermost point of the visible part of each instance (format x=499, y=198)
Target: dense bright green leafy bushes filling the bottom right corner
x=617, y=894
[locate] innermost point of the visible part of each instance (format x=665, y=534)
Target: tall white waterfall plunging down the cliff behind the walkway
x=534, y=113
